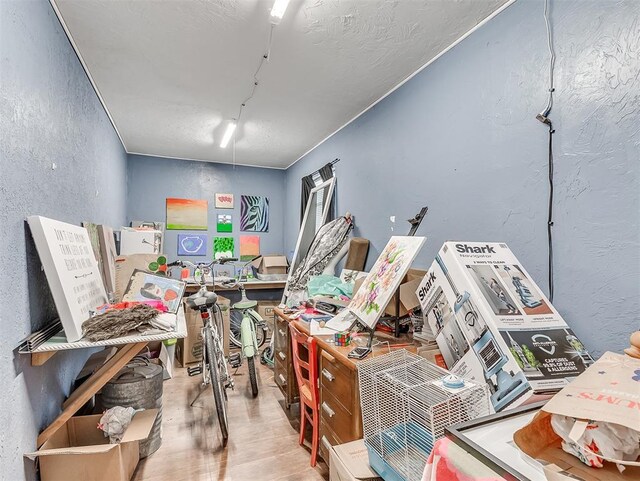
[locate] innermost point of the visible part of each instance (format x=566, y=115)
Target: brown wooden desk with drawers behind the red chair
x=340, y=415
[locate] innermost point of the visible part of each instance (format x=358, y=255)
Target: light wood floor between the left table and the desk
x=263, y=437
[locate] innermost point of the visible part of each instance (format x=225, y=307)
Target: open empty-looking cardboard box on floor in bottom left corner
x=79, y=450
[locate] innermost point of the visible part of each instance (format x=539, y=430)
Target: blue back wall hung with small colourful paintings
x=153, y=179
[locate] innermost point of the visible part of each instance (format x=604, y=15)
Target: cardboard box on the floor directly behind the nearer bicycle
x=189, y=349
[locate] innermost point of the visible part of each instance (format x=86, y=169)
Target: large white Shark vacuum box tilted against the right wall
x=493, y=323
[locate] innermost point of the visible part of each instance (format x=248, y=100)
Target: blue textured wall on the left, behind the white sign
x=49, y=113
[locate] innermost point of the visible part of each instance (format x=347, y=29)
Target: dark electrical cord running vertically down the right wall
x=544, y=118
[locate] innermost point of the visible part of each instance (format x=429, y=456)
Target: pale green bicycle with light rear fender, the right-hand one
x=248, y=332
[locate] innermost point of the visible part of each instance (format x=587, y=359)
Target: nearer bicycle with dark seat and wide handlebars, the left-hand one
x=213, y=365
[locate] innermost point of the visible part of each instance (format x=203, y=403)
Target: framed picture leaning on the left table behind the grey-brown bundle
x=145, y=286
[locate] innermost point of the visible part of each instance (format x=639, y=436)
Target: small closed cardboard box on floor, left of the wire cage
x=350, y=462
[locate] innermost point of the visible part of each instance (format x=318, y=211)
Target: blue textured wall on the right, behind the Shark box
x=462, y=138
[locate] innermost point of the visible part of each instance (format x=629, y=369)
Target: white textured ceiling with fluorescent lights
x=170, y=73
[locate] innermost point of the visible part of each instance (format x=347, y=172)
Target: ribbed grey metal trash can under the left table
x=138, y=385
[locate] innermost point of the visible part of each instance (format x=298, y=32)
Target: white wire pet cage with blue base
x=406, y=404
